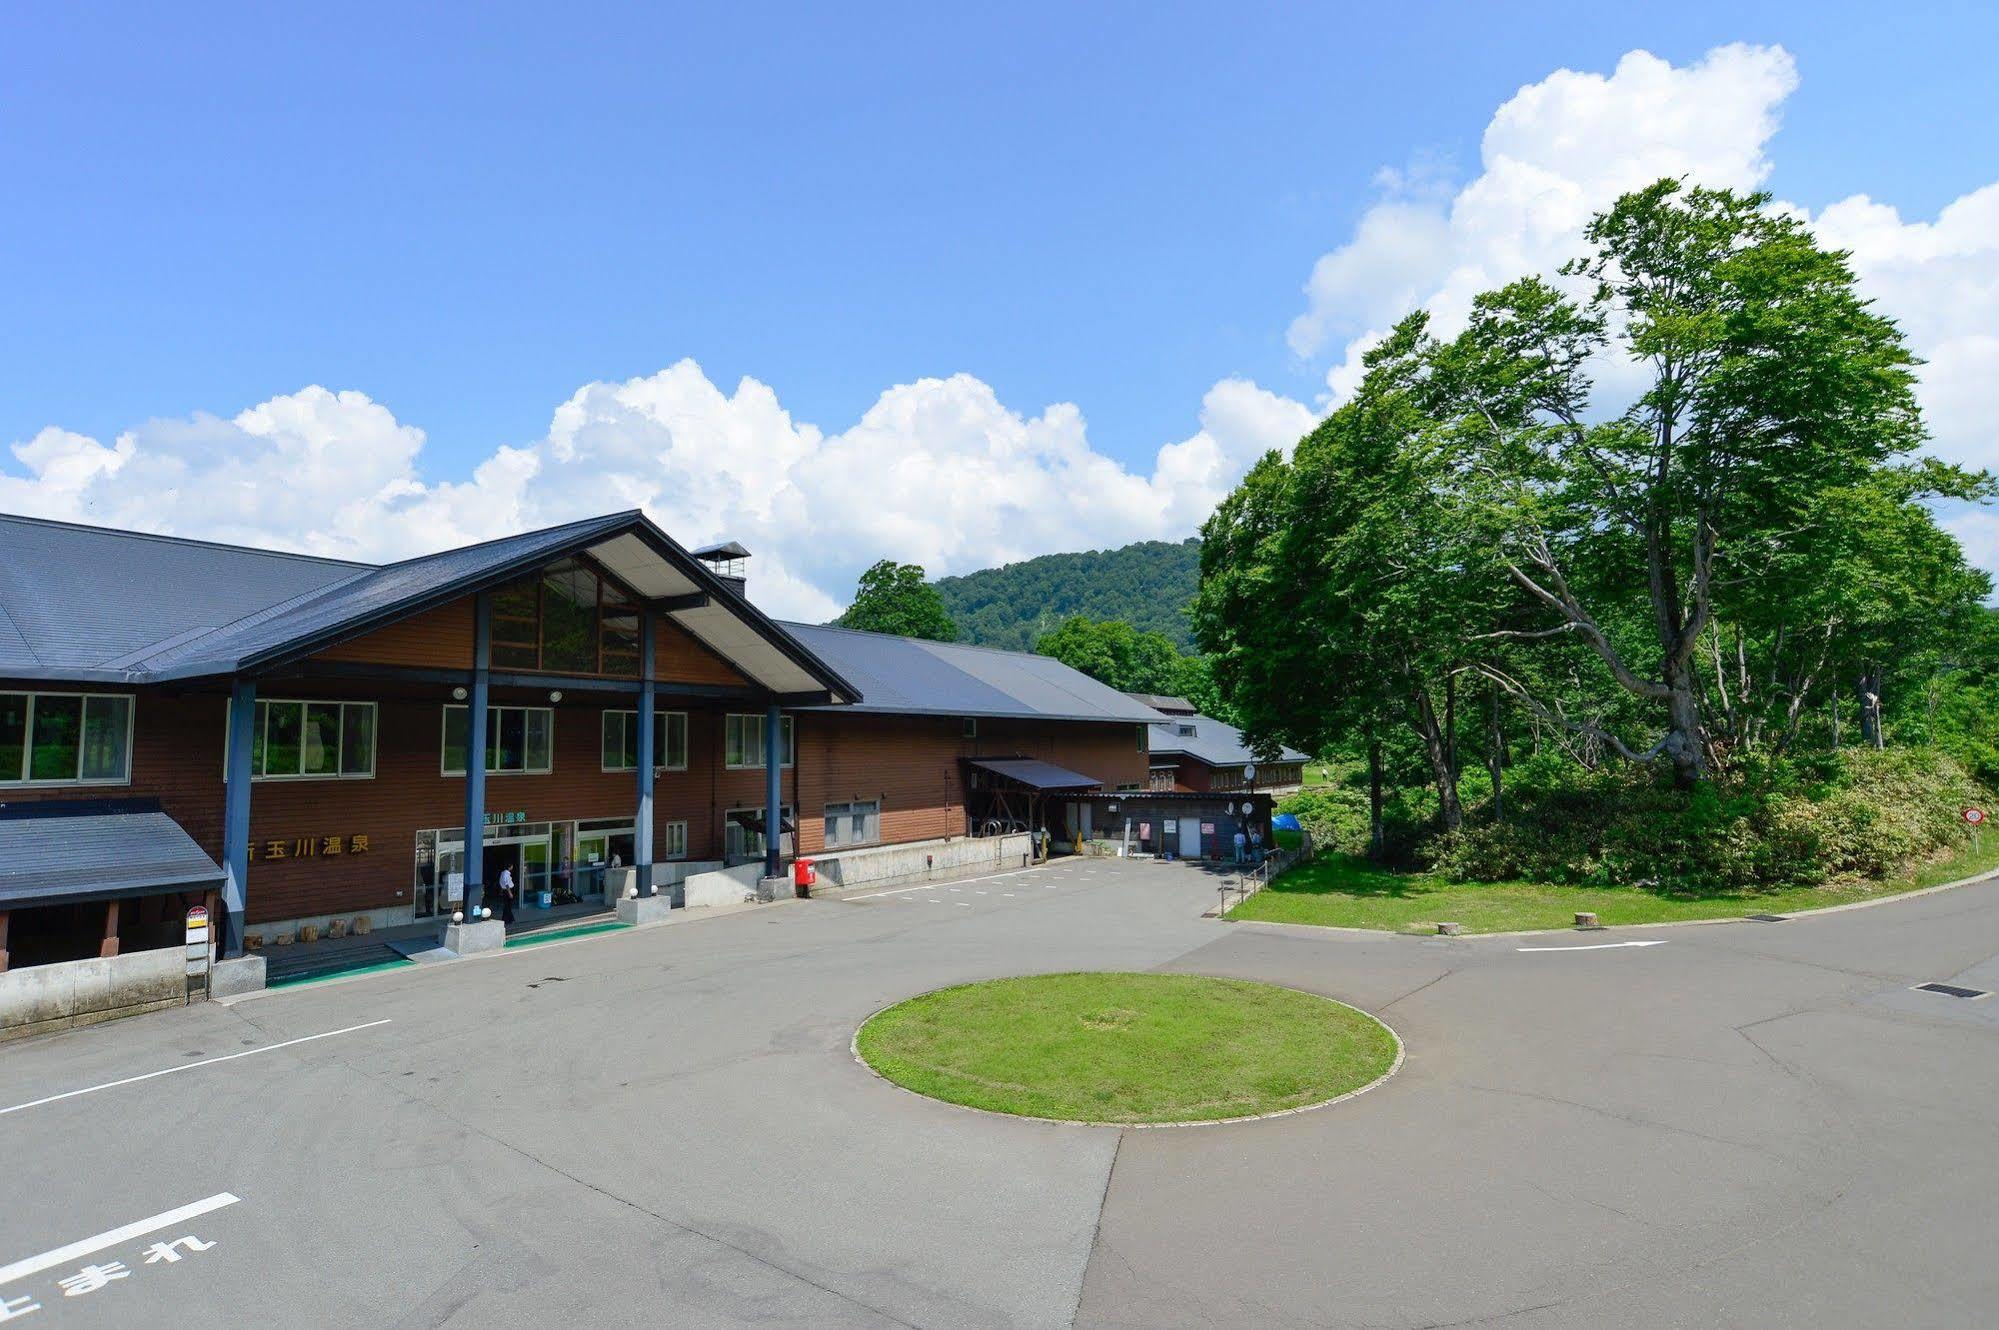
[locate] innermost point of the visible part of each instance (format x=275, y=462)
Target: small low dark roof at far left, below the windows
x=97, y=851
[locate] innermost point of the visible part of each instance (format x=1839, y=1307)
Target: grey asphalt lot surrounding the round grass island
x=1748, y=1125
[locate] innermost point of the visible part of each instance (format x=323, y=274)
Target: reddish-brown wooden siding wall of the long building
x=909, y=763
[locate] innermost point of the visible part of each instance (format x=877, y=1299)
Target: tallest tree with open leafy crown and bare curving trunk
x=1754, y=383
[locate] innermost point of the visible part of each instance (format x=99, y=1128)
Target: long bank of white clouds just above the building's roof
x=939, y=473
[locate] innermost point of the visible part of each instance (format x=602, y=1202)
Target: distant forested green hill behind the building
x=1146, y=585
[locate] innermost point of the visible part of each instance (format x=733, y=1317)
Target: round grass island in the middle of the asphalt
x=1128, y=1049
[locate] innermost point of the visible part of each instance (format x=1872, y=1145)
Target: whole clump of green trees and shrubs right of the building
x=1630, y=629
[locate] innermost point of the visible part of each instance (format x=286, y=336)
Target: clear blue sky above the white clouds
x=471, y=213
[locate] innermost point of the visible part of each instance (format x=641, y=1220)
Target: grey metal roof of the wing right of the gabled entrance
x=909, y=677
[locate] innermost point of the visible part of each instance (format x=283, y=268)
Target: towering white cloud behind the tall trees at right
x=1566, y=147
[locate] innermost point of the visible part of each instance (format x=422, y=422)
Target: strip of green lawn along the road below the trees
x=1350, y=893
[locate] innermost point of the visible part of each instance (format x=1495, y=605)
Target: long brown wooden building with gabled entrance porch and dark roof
x=593, y=707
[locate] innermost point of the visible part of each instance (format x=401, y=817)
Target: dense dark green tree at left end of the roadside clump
x=1346, y=591
